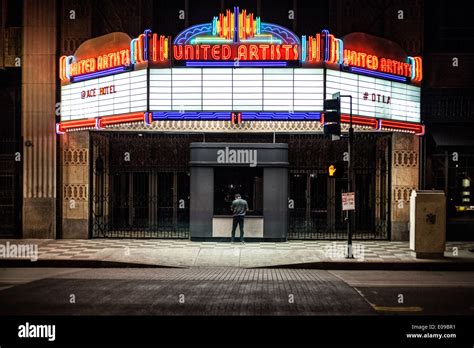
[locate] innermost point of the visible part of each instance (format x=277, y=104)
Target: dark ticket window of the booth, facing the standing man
x=248, y=182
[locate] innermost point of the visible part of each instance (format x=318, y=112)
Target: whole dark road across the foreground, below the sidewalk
x=233, y=291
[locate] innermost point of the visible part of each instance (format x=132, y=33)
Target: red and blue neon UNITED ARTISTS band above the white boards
x=237, y=36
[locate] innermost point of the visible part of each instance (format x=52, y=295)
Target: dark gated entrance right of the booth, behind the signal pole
x=315, y=200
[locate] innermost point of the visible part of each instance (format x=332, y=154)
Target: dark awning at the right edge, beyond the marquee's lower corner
x=447, y=136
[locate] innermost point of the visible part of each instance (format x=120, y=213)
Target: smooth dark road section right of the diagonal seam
x=414, y=292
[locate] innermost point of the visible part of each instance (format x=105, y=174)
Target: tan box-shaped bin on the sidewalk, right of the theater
x=428, y=223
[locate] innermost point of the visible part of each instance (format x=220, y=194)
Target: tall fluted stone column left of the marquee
x=38, y=118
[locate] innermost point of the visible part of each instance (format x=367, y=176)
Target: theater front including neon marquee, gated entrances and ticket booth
x=158, y=133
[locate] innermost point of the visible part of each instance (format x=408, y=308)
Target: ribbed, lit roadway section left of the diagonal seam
x=191, y=291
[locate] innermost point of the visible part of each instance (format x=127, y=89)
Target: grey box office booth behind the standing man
x=258, y=172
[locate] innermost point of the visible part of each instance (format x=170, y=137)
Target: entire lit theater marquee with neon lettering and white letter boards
x=273, y=71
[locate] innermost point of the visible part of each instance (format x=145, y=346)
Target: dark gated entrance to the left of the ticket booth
x=141, y=194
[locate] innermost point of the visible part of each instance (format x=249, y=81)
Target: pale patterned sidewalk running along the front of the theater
x=184, y=253
